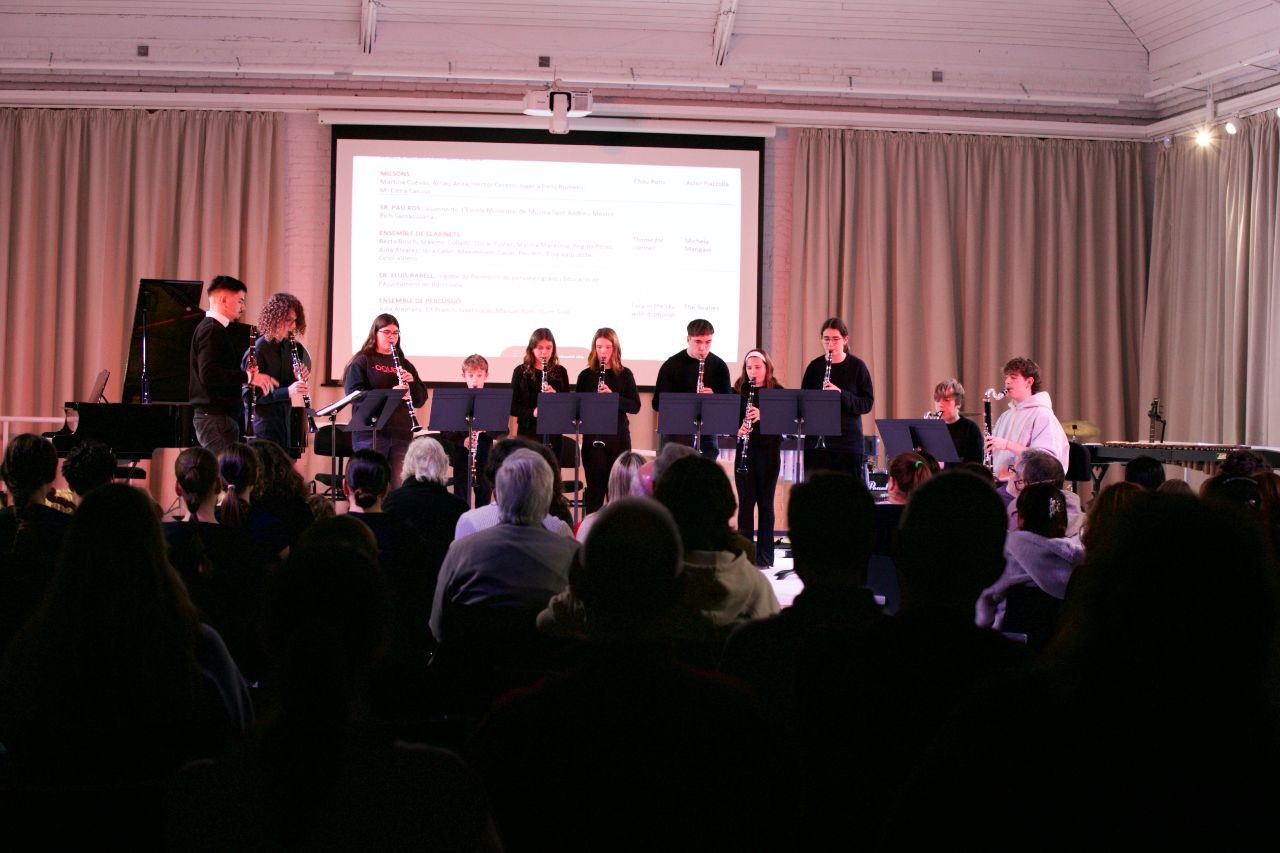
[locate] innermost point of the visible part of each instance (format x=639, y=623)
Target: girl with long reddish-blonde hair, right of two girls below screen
x=606, y=375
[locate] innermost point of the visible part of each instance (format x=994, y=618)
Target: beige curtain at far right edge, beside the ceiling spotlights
x=1212, y=339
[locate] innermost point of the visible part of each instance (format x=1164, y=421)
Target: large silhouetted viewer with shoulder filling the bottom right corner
x=1149, y=724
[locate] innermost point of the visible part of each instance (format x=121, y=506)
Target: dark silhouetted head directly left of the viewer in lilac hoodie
x=950, y=545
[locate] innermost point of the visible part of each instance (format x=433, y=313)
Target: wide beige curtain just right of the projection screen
x=948, y=256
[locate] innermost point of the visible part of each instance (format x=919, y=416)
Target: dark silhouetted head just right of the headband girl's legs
x=833, y=530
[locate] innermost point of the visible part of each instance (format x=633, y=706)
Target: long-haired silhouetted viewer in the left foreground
x=116, y=679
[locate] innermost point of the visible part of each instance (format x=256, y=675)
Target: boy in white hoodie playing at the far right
x=1030, y=422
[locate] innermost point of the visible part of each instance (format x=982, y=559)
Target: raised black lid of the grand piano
x=173, y=314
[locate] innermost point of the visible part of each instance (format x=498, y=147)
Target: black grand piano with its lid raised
x=154, y=413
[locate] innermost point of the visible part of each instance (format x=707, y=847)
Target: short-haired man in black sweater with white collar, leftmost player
x=217, y=377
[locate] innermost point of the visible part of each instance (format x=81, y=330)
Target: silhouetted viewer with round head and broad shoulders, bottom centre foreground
x=632, y=750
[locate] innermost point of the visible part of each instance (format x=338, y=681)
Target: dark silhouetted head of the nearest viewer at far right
x=1163, y=604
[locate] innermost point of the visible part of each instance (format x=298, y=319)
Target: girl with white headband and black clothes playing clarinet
x=758, y=482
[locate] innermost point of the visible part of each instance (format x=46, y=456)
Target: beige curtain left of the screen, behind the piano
x=94, y=200
